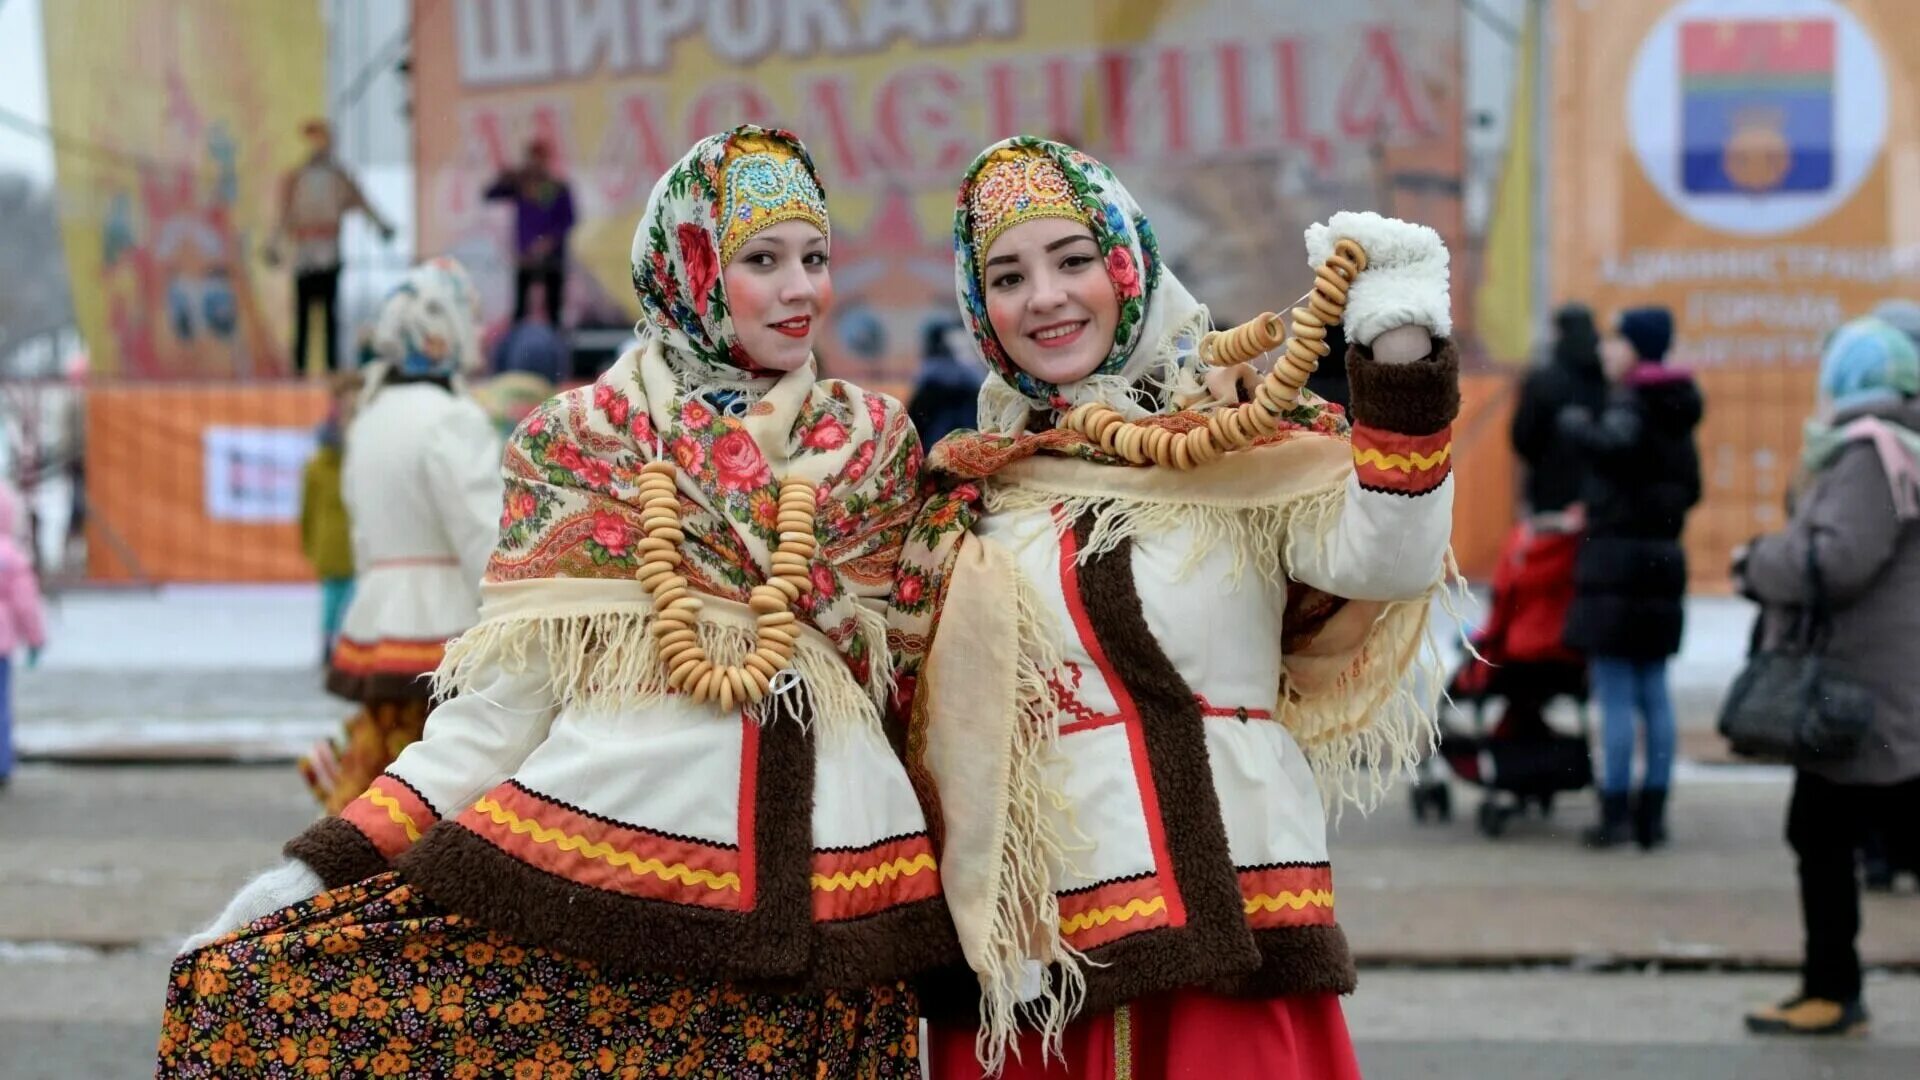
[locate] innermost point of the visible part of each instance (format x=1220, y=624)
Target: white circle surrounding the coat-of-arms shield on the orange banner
x=1860, y=118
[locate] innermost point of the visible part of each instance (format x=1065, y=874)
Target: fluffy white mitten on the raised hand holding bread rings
x=1406, y=278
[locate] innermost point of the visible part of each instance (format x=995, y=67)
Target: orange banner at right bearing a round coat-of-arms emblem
x=1754, y=166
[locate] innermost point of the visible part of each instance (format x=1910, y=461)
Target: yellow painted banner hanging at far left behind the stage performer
x=181, y=116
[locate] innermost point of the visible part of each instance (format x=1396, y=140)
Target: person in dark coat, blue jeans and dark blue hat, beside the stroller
x=1631, y=576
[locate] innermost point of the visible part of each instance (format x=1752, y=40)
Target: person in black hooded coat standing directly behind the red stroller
x=1570, y=378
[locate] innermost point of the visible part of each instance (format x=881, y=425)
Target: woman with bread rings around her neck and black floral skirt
x=621, y=847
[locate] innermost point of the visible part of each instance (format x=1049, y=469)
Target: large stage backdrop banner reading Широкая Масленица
x=1237, y=122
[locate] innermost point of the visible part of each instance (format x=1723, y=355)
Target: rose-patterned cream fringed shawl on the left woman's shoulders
x=562, y=581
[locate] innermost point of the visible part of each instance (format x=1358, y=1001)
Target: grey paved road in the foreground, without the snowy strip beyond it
x=105, y=868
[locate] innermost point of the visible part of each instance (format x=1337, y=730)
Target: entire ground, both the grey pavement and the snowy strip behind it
x=1524, y=958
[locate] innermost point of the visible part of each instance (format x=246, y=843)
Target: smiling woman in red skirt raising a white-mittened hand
x=1130, y=689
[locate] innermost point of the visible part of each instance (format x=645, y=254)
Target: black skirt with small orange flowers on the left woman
x=377, y=981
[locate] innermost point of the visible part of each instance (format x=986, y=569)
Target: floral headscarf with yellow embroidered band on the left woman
x=725, y=191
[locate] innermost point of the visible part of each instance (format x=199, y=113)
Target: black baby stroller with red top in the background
x=1522, y=760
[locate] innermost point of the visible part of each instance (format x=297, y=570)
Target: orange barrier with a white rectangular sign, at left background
x=199, y=483
